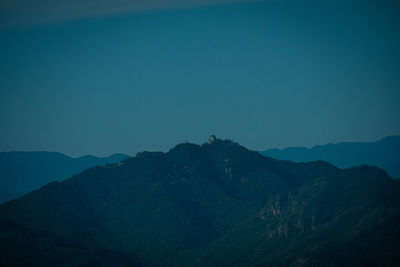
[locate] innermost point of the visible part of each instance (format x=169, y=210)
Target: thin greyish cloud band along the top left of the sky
x=27, y=12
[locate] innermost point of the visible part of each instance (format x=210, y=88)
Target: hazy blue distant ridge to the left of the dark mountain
x=22, y=172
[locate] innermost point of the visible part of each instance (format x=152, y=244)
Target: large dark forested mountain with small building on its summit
x=215, y=204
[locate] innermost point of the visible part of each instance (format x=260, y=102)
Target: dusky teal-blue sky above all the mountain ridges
x=100, y=77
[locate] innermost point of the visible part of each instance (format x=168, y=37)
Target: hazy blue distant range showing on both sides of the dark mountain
x=22, y=172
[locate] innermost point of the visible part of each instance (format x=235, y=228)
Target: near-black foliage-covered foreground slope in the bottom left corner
x=21, y=246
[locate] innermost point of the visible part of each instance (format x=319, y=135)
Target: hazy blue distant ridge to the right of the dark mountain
x=384, y=153
